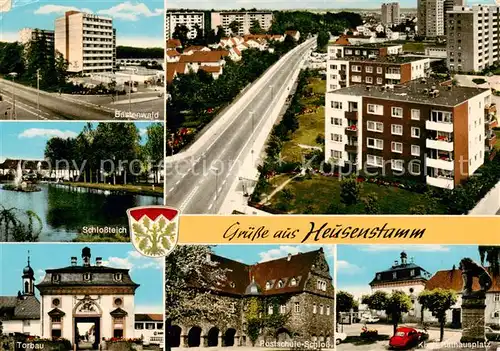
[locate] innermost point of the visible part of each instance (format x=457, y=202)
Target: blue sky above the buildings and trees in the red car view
x=358, y=264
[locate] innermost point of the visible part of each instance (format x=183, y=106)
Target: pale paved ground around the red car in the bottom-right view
x=451, y=339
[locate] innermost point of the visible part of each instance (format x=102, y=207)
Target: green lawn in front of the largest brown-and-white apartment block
x=317, y=194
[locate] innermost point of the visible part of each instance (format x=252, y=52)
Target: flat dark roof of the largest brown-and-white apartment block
x=414, y=91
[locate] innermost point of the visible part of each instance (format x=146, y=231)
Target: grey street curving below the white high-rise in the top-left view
x=29, y=105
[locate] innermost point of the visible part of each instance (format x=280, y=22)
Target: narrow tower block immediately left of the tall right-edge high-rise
x=430, y=18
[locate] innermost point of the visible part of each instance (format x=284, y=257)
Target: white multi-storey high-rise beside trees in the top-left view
x=87, y=42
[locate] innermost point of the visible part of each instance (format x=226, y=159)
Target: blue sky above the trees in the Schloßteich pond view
x=27, y=140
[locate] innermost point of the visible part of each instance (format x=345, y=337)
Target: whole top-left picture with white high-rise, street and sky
x=75, y=60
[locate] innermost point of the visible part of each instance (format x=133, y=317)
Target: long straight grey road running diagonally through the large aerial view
x=199, y=184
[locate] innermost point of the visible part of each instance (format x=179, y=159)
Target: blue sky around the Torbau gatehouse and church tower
x=147, y=272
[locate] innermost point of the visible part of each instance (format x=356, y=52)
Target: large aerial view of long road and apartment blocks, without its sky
x=328, y=111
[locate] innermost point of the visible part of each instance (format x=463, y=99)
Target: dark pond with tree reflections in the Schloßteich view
x=65, y=210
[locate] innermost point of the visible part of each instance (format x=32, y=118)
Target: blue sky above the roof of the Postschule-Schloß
x=251, y=254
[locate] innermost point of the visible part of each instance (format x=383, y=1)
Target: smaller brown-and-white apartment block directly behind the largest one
x=380, y=70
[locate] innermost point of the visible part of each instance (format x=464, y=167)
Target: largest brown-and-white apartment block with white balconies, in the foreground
x=422, y=130
